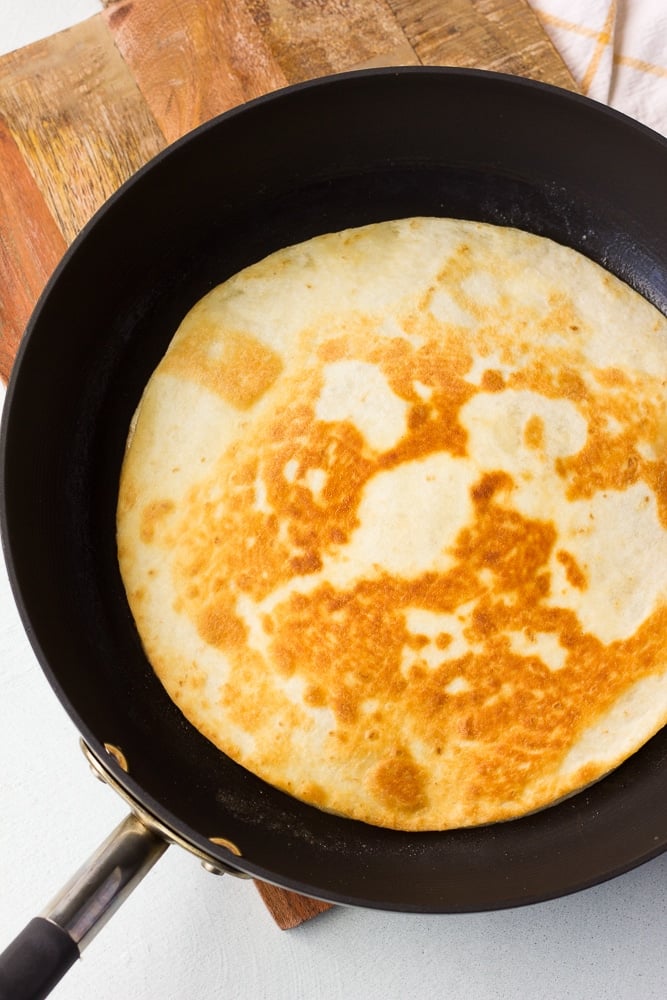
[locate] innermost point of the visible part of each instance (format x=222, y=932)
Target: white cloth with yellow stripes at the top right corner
x=616, y=51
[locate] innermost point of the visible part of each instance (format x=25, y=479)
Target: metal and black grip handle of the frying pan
x=51, y=943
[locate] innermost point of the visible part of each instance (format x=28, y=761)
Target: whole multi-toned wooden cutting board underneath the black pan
x=82, y=110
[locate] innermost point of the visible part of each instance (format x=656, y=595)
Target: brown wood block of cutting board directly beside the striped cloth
x=500, y=35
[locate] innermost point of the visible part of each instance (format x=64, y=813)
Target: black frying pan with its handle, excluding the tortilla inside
x=341, y=151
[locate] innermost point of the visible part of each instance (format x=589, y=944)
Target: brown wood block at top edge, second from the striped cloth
x=311, y=38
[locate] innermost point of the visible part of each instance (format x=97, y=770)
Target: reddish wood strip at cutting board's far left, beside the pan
x=31, y=245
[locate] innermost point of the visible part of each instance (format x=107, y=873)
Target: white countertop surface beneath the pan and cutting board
x=188, y=934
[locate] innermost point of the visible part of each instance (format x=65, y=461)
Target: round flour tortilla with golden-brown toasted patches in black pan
x=393, y=521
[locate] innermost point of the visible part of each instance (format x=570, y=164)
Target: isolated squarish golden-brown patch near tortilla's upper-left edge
x=231, y=363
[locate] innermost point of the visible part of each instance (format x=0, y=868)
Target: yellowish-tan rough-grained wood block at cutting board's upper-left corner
x=78, y=118
